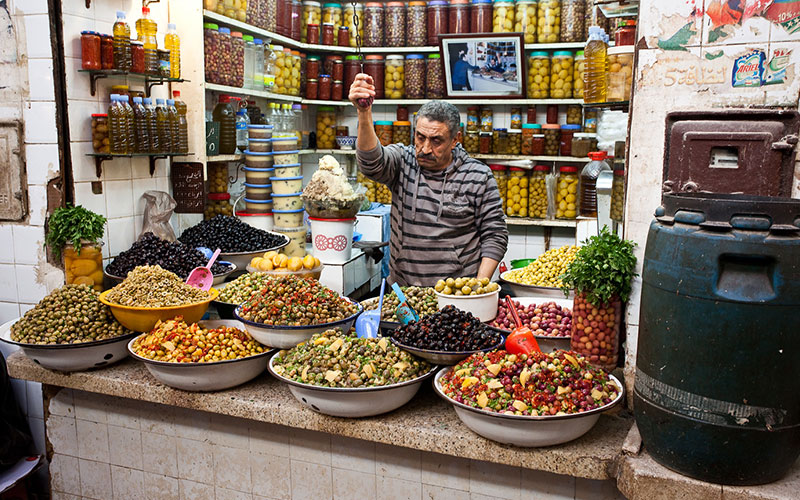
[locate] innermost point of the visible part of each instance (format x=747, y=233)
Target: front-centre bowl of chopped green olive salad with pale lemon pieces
x=347, y=376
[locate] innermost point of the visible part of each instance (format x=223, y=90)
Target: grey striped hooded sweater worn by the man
x=443, y=222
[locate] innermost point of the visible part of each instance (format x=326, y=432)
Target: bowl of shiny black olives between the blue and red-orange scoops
x=447, y=337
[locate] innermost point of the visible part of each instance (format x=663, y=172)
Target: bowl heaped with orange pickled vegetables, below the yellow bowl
x=204, y=356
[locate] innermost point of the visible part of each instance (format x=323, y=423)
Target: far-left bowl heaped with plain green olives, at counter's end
x=69, y=330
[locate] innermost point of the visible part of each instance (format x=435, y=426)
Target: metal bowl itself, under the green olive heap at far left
x=72, y=357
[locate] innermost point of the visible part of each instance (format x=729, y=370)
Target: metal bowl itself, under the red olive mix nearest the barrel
x=523, y=430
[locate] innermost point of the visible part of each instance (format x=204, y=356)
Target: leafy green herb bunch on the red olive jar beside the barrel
x=603, y=268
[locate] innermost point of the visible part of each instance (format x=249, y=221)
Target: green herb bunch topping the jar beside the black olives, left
x=73, y=224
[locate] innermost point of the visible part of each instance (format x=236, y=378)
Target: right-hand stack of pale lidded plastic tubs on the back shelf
x=287, y=188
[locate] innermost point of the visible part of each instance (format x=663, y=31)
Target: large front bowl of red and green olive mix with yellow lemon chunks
x=528, y=400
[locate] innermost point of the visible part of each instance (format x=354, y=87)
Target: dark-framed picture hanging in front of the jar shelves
x=484, y=65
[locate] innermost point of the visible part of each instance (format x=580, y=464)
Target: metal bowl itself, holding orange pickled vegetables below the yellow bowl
x=211, y=376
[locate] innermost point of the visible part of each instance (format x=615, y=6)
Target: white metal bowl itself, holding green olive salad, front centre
x=353, y=402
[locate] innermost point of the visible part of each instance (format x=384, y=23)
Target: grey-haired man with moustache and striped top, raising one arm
x=447, y=216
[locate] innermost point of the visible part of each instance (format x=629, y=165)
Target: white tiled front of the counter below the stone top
x=118, y=448
